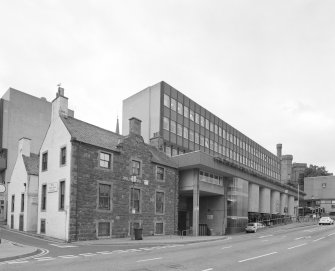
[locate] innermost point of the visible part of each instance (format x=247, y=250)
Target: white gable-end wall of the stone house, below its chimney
x=57, y=222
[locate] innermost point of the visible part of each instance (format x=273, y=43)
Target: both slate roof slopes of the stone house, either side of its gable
x=96, y=136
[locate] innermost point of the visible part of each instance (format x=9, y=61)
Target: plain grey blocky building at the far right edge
x=320, y=193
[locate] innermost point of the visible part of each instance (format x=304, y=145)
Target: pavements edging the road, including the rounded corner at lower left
x=11, y=251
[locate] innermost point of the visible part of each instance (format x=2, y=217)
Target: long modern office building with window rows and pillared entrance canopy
x=226, y=178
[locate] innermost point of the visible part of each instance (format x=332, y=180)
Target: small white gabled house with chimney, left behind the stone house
x=23, y=190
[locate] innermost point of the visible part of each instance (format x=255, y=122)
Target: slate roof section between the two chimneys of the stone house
x=91, y=134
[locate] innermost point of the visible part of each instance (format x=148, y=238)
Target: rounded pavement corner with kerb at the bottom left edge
x=12, y=251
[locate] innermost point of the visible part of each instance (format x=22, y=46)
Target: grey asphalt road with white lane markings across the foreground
x=307, y=248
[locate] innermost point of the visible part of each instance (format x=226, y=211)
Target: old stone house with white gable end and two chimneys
x=94, y=183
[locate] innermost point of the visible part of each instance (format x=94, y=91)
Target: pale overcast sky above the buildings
x=265, y=67
